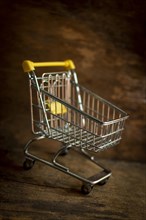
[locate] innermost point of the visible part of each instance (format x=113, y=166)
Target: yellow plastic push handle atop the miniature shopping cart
x=29, y=66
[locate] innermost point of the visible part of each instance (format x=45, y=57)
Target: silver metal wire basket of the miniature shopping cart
x=89, y=121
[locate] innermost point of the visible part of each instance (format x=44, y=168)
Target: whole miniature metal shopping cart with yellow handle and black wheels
x=63, y=110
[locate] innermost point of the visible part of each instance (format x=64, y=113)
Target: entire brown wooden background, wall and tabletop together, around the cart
x=107, y=41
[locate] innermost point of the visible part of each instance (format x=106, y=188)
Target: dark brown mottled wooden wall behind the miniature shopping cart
x=105, y=39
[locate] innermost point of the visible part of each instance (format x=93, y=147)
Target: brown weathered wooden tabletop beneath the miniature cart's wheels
x=46, y=193
